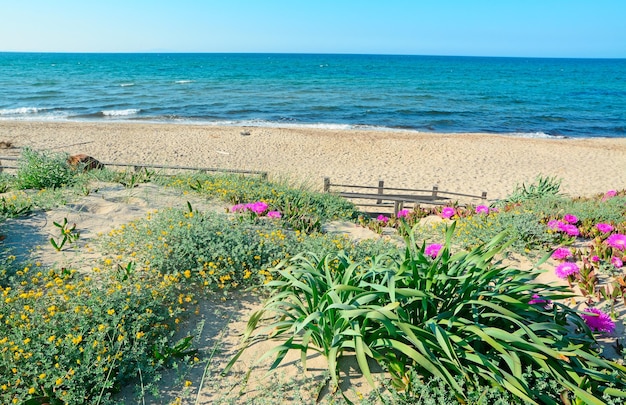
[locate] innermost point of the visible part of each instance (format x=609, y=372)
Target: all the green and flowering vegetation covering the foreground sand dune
x=439, y=312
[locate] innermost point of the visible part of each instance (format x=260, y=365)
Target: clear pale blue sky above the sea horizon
x=542, y=28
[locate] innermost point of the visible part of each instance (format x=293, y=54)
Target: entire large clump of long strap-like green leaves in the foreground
x=455, y=315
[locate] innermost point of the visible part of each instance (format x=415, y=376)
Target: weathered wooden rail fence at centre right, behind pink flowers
x=382, y=197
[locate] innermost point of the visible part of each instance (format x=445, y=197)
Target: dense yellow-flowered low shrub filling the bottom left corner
x=76, y=339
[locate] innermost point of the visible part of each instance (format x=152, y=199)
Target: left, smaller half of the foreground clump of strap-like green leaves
x=309, y=299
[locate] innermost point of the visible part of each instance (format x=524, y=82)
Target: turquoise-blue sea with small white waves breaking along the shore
x=535, y=97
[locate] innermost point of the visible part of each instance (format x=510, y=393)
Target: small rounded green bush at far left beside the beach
x=41, y=170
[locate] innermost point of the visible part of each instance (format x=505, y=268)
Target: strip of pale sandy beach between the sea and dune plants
x=465, y=163
